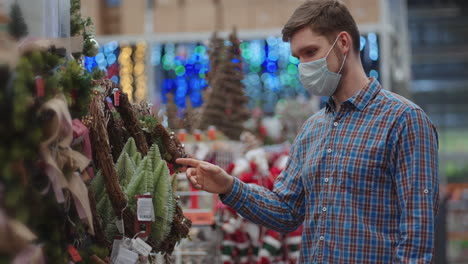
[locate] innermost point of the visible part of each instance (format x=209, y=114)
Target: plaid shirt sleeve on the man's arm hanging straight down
x=416, y=179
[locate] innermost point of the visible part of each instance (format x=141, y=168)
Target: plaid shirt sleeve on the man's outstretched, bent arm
x=282, y=209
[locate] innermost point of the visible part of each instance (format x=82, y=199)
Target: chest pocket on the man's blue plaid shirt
x=362, y=171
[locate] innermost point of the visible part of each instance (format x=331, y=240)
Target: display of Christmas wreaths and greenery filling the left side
x=58, y=126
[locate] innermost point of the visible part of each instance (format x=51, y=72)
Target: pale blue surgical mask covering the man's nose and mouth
x=317, y=78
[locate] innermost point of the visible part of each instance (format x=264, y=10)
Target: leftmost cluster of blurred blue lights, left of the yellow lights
x=105, y=60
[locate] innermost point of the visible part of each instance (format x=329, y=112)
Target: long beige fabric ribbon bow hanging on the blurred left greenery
x=58, y=157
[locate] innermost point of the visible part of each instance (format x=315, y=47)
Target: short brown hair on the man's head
x=326, y=17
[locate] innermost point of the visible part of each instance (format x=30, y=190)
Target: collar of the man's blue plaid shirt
x=361, y=99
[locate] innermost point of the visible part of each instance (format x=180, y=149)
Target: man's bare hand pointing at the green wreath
x=206, y=176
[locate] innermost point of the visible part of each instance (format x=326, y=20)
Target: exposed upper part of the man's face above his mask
x=307, y=45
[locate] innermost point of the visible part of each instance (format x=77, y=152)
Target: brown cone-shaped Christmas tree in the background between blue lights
x=226, y=104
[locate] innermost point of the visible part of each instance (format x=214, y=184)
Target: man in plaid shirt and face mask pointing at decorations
x=362, y=173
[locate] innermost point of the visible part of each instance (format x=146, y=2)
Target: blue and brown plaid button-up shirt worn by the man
x=362, y=180
